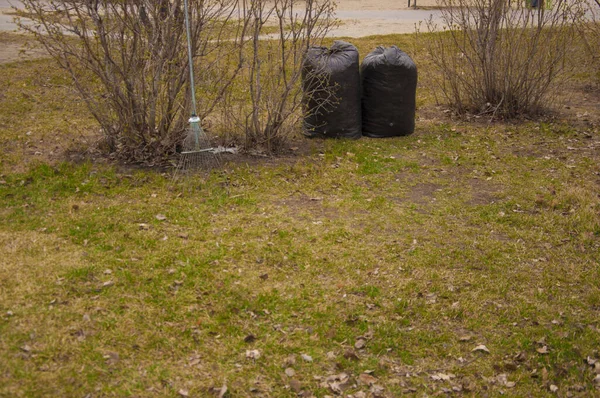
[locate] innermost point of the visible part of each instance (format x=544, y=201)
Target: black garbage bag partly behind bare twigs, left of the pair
x=331, y=86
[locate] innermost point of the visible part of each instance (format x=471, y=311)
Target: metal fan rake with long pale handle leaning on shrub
x=196, y=151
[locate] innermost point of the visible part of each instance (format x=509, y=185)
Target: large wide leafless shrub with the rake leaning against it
x=128, y=61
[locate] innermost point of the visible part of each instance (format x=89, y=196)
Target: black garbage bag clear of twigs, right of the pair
x=389, y=87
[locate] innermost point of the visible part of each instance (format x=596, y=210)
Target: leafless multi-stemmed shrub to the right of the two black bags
x=500, y=59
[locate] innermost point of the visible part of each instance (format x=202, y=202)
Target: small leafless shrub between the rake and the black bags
x=267, y=106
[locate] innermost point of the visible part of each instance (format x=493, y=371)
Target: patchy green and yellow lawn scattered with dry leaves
x=368, y=268
